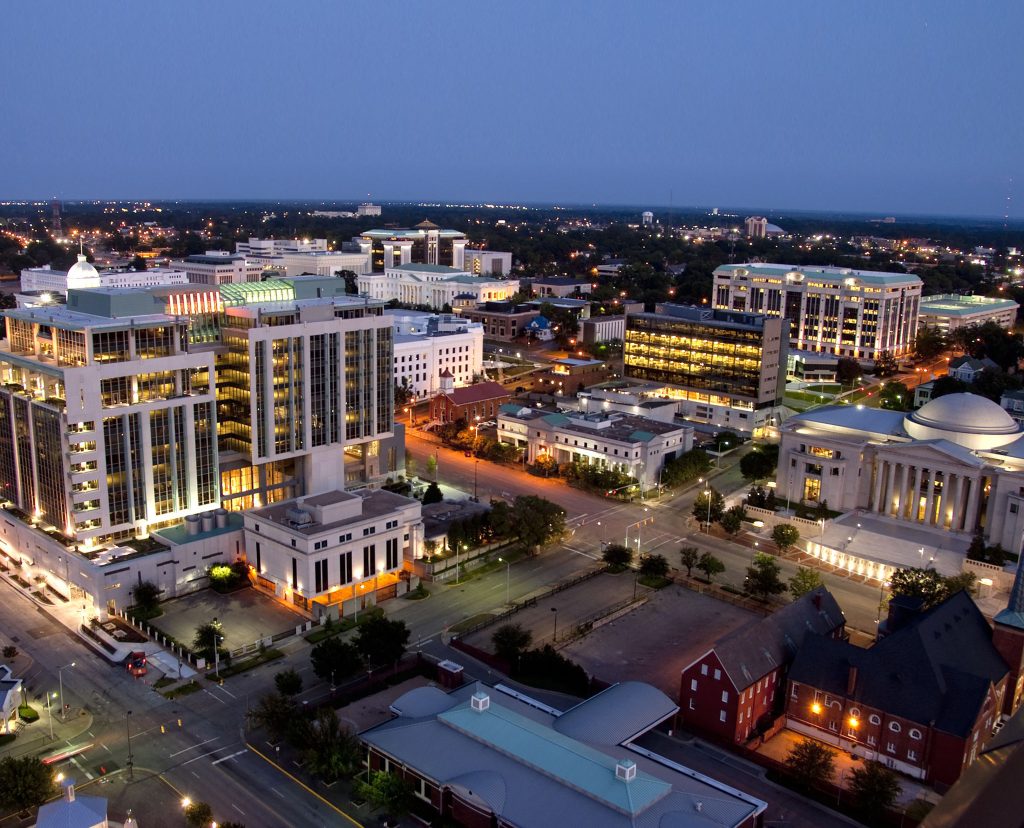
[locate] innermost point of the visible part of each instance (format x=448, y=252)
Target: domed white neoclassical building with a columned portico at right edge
x=957, y=465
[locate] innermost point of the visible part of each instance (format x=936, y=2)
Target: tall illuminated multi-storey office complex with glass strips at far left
x=134, y=419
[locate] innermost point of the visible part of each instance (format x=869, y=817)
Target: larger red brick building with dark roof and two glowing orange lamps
x=923, y=701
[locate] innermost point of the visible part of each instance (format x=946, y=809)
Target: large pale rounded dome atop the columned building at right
x=967, y=420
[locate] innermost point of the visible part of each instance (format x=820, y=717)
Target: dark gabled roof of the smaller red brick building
x=752, y=652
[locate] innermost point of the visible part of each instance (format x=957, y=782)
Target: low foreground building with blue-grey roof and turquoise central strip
x=485, y=758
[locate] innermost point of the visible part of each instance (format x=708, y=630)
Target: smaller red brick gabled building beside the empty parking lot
x=739, y=684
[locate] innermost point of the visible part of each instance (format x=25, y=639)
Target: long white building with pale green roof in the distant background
x=434, y=286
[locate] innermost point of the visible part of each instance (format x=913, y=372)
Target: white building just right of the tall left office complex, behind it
x=426, y=344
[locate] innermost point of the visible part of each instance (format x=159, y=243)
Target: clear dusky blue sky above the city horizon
x=882, y=107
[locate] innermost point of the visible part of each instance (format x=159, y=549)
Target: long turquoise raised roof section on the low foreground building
x=557, y=756
